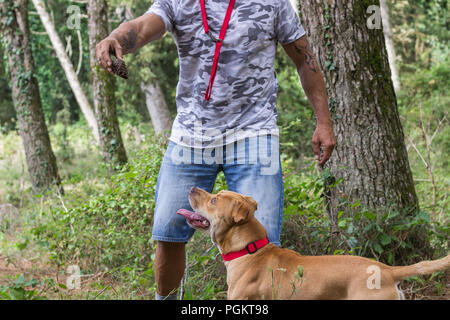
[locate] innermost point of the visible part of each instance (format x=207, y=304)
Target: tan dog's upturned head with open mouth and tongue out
x=219, y=213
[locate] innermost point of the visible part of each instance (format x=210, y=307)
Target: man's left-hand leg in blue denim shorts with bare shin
x=171, y=230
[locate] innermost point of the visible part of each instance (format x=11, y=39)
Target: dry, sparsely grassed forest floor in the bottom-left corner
x=51, y=282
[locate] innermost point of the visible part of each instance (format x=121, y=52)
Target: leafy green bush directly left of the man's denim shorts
x=112, y=228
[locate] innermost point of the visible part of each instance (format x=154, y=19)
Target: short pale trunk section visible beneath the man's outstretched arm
x=157, y=107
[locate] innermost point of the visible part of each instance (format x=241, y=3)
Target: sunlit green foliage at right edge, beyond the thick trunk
x=424, y=104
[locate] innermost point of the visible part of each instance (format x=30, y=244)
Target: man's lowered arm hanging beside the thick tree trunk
x=314, y=85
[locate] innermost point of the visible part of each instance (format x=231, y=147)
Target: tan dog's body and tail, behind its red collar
x=273, y=273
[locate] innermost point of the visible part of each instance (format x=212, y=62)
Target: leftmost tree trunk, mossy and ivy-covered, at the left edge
x=40, y=159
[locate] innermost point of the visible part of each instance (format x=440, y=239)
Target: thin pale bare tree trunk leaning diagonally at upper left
x=68, y=67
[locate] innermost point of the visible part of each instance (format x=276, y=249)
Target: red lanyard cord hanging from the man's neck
x=219, y=41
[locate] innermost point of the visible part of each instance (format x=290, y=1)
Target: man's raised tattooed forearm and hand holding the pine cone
x=129, y=37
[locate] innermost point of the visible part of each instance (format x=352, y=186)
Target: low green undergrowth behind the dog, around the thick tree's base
x=388, y=235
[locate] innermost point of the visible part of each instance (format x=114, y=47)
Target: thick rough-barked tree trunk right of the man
x=370, y=156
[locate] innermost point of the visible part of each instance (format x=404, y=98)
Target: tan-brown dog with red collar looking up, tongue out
x=274, y=273
